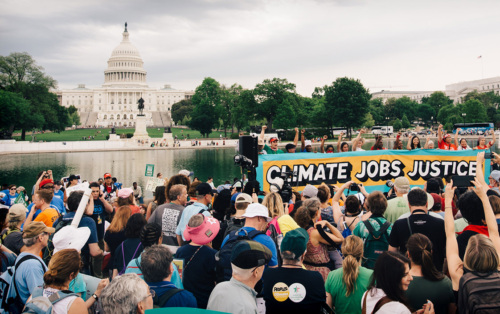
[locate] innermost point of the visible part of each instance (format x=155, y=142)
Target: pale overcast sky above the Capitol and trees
x=390, y=45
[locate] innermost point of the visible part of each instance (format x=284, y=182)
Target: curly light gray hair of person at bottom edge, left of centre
x=123, y=294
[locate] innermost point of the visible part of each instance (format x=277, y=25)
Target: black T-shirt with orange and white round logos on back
x=293, y=290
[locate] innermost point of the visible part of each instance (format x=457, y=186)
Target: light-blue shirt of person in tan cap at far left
x=29, y=275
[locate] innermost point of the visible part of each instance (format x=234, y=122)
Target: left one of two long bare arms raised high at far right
x=453, y=258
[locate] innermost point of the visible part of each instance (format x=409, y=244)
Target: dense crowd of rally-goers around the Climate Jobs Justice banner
x=236, y=249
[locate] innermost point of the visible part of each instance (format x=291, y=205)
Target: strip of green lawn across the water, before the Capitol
x=100, y=134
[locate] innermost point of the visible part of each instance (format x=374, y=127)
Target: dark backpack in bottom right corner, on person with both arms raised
x=479, y=293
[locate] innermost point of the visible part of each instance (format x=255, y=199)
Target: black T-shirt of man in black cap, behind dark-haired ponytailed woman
x=427, y=225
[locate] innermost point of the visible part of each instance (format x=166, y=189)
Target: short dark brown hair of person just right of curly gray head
x=155, y=263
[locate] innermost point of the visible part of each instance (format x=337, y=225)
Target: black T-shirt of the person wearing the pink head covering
x=199, y=275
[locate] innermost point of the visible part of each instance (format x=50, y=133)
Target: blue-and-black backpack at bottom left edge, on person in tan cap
x=11, y=302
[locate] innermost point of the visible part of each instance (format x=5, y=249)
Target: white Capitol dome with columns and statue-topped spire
x=125, y=66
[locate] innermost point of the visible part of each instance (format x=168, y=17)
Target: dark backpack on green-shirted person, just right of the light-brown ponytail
x=375, y=244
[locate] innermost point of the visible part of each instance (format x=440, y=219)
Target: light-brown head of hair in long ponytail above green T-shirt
x=352, y=249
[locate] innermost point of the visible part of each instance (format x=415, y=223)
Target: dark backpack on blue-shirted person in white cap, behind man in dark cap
x=223, y=257
